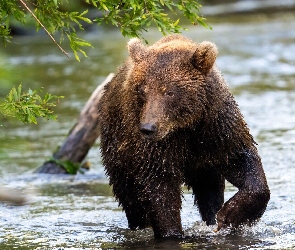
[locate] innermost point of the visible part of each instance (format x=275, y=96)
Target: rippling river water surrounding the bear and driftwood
x=257, y=57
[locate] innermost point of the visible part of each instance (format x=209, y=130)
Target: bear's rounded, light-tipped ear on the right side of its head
x=205, y=56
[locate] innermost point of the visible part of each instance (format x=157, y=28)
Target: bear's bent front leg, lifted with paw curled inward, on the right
x=249, y=203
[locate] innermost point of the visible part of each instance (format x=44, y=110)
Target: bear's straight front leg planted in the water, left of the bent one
x=164, y=209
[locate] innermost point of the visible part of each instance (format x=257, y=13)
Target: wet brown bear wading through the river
x=168, y=118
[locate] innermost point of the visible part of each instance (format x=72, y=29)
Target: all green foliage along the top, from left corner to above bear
x=133, y=17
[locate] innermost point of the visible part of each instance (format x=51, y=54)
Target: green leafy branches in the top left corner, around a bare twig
x=48, y=13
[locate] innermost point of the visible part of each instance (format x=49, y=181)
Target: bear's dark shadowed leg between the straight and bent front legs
x=208, y=188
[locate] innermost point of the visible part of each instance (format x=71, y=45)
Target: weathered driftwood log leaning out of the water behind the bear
x=81, y=137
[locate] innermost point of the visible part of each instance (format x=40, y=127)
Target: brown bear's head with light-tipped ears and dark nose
x=168, y=80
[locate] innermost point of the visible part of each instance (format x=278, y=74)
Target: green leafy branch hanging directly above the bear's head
x=134, y=17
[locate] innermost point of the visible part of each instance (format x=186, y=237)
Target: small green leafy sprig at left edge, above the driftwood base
x=27, y=106
